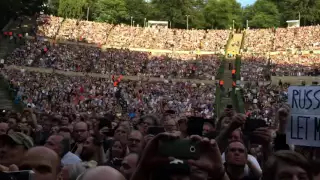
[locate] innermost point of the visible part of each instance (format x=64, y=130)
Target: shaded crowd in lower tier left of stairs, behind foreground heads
x=47, y=92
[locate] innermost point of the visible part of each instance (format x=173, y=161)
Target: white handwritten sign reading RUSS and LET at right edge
x=304, y=123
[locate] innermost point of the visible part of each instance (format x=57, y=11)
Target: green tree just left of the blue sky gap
x=221, y=13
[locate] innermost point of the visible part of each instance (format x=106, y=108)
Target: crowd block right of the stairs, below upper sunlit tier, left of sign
x=260, y=94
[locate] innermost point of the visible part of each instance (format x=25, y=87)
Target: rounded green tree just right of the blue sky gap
x=263, y=14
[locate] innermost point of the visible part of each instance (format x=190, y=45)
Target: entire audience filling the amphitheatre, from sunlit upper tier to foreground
x=85, y=127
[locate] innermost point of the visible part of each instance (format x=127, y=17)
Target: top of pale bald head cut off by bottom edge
x=102, y=173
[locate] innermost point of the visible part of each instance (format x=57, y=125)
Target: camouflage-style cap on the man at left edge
x=19, y=138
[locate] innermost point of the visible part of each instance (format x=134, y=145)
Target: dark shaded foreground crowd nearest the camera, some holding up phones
x=169, y=145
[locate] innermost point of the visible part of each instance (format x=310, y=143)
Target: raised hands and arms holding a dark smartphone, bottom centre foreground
x=208, y=165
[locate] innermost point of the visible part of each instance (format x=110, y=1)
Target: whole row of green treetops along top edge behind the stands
x=202, y=14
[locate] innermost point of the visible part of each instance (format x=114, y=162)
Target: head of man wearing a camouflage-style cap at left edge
x=13, y=147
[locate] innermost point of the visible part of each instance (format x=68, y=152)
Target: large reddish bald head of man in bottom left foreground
x=41, y=157
